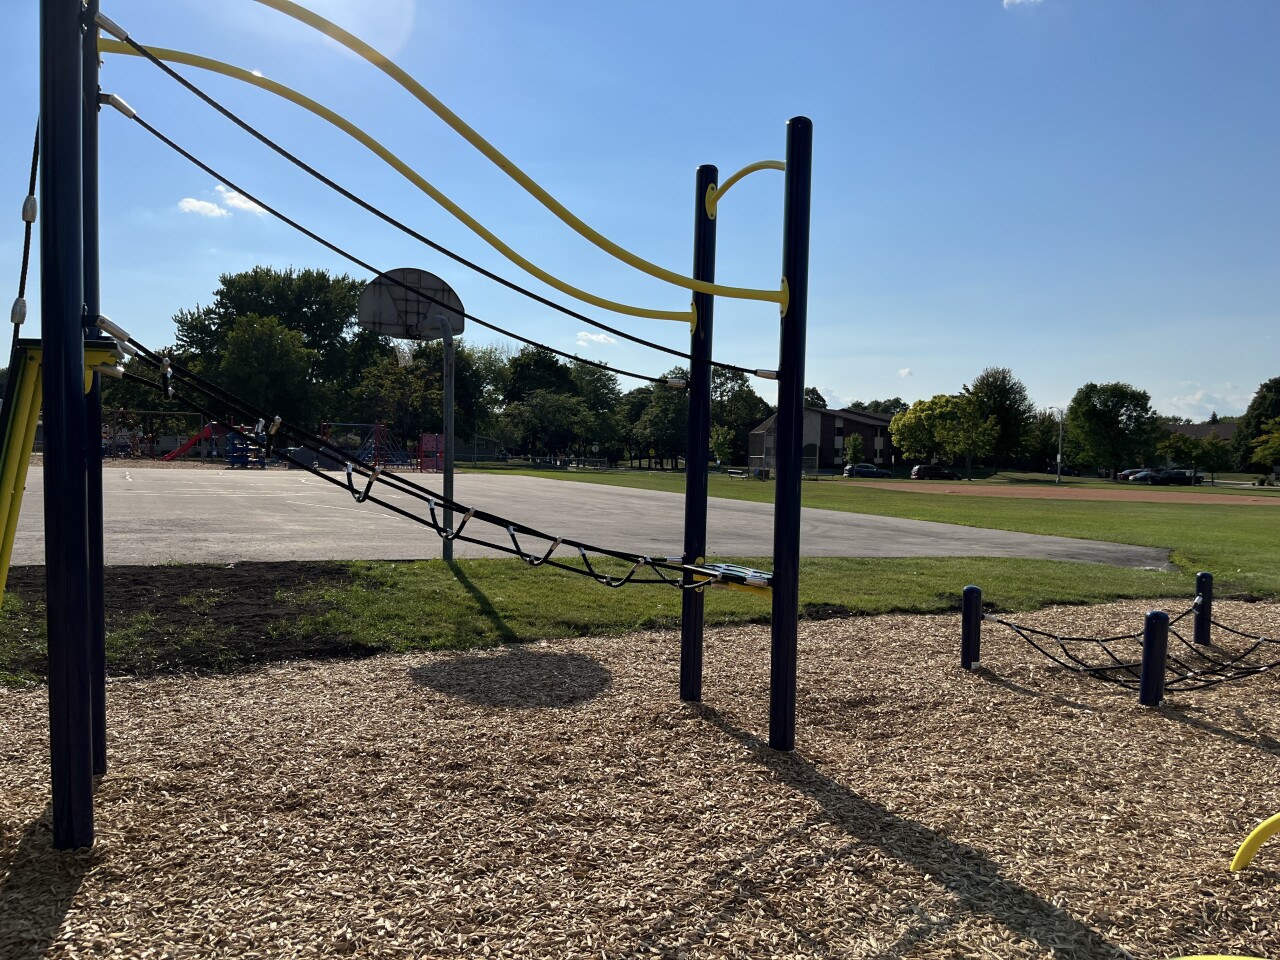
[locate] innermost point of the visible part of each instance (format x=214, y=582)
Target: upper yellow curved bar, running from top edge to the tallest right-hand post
x=356, y=45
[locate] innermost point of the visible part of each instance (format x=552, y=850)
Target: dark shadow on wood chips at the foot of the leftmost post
x=38, y=892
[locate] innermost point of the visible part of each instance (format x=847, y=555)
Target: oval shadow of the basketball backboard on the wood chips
x=518, y=679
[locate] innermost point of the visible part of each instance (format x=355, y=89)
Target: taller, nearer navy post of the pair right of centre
x=790, y=438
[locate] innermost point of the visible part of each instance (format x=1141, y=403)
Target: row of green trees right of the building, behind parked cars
x=1107, y=427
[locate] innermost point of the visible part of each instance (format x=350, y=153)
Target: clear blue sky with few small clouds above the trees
x=1077, y=190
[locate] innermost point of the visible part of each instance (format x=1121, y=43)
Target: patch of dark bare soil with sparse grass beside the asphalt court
x=202, y=619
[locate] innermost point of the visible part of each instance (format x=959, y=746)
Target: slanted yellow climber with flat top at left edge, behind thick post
x=19, y=419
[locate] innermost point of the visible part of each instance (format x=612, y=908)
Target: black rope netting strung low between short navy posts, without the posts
x=1188, y=666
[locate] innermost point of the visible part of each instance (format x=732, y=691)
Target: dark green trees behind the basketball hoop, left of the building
x=287, y=342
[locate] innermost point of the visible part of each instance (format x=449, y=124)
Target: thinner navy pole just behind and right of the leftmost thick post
x=94, y=403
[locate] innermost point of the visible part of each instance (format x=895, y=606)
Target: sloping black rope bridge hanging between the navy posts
x=368, y=483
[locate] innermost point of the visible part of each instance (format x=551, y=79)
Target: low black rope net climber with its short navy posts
x=1141, y=661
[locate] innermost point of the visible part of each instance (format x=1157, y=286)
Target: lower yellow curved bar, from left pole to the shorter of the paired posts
x=111, y=47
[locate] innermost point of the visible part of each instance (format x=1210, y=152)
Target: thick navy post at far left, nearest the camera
x=62, y=299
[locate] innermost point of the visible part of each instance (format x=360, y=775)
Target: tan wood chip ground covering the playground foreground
x=556, y=801
